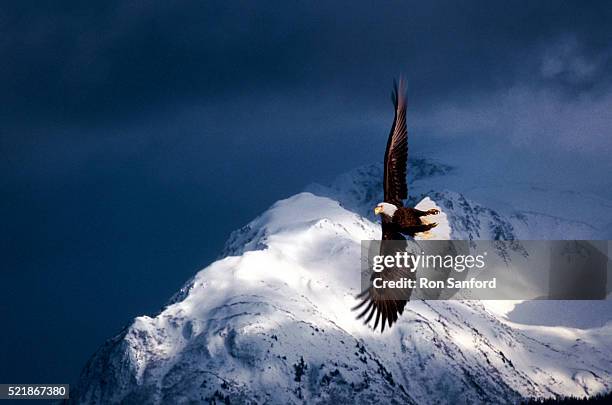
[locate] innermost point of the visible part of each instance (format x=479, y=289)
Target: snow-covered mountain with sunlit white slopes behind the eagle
x=270, y=322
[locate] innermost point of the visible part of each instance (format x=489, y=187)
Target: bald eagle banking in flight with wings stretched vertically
x=397, y=221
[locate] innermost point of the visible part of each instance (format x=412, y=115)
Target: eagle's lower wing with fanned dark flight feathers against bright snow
x=387, y=304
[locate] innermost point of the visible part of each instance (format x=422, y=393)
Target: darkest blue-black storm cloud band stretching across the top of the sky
x=93, y=62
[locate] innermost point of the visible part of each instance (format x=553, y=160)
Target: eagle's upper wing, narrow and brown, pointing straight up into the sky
x=396, y=154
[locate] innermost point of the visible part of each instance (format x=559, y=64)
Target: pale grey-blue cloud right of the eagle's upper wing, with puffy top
x=548, y=108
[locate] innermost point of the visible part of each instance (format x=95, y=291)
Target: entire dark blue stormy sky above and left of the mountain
x=136, y=135
